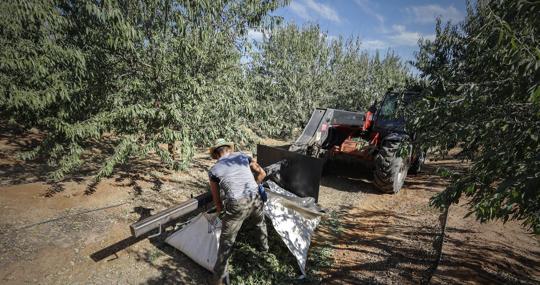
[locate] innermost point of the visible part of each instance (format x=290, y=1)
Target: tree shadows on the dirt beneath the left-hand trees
x=134, y=174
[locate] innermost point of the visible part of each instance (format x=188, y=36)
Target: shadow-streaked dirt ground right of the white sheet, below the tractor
x=390, y=239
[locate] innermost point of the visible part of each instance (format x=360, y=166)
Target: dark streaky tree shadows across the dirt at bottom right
x=385, y=247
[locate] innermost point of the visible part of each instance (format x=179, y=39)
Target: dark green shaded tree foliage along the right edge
x=483, y=93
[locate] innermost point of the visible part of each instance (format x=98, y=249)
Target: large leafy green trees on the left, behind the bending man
x=147, y=72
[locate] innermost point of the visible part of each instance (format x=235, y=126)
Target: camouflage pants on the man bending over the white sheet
x=236, y=212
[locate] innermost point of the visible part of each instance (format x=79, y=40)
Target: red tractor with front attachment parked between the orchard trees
x=374, y=144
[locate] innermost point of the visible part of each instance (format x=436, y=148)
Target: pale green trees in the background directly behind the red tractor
x=296, y=69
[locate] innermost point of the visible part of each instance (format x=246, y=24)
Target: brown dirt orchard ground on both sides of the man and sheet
x=77, y=232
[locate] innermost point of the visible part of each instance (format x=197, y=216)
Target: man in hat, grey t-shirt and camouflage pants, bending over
x=238, y=175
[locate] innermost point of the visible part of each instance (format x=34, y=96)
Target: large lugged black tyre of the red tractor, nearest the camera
x=390, y=168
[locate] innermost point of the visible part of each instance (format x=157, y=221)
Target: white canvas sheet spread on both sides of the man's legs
x=294, y=219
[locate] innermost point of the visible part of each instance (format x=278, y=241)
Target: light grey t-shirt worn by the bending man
x=234, y=175
